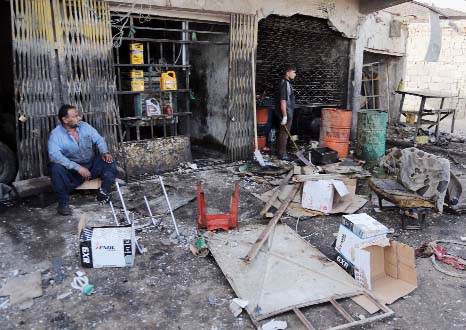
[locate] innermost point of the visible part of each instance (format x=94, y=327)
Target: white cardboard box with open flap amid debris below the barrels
x=319, y=195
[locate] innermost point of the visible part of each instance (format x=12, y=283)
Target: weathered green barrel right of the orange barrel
x=372, y=133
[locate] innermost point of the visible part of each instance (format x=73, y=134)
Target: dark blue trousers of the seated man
x=65, y=181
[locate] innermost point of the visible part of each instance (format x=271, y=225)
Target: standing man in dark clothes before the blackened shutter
x=285, y=109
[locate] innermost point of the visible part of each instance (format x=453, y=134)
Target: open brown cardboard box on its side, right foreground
x=388, y=271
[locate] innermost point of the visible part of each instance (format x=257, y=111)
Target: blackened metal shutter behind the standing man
x=320, y=54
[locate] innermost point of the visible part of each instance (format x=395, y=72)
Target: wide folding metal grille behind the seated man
x=62, y=54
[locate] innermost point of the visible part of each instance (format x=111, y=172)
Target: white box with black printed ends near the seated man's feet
x=110, y=246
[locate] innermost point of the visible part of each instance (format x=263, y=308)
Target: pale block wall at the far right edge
x=448, y=75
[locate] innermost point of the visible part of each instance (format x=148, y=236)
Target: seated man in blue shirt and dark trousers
x=72, y=158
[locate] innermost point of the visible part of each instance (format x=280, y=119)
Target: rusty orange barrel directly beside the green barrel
x=335, y=129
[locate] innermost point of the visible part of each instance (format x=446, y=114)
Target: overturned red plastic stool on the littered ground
x=217, y=221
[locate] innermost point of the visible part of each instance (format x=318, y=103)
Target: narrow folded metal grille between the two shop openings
x=243, y=41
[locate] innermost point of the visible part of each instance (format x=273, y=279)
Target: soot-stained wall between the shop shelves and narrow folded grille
x=209, y=82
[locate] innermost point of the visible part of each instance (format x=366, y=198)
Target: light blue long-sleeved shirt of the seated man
x=64, y=150
